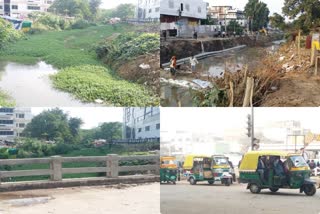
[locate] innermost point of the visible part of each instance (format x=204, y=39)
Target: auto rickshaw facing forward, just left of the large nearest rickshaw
x=221, y=169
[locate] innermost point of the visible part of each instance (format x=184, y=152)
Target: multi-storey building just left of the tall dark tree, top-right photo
x=225, y=14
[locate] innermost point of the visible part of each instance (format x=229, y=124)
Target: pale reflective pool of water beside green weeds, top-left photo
x=30, y=85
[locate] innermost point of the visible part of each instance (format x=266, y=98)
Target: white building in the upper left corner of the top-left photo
x=21, y=8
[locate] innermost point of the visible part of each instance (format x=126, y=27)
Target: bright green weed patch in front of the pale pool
x=89, y=83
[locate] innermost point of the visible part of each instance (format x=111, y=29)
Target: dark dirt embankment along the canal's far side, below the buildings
x=186, y=48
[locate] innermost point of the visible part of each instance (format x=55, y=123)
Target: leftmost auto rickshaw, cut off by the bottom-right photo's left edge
x=168, y=170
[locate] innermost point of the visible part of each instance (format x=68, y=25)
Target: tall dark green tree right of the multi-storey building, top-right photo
x=258, y=14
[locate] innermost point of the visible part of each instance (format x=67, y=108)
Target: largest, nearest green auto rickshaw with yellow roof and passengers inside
x=274, y=170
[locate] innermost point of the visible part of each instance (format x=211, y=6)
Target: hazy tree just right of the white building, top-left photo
x=77, y=8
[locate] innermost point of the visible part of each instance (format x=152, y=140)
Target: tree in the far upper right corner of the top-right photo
x=306, y=12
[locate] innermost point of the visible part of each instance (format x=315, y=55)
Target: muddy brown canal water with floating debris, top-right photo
x=173, y=95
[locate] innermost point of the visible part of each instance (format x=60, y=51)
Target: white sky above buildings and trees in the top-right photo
x=273, y=5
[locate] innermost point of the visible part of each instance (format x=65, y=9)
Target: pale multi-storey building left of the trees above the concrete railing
x=13, y=121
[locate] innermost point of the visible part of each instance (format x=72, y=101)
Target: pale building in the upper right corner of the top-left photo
x=148, y=10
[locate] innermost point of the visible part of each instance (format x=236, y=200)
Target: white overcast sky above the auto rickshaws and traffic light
x=220, y=120
